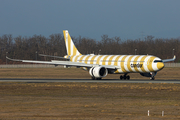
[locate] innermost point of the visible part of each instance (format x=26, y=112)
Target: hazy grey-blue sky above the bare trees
x=128, y=19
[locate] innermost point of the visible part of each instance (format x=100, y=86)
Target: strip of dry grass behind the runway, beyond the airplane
x=75, y=73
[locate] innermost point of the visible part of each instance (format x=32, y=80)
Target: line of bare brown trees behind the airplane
x=29, y=47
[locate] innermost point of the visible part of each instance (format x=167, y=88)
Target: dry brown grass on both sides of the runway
x=86, y=100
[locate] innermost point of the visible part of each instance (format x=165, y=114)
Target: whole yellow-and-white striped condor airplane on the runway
x=101, y=65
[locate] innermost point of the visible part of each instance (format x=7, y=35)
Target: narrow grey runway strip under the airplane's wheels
x=88, y=81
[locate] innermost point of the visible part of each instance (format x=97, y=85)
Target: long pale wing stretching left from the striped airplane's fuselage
x=67, y=63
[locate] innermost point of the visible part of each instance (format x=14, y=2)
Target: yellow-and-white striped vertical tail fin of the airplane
x=70, y=47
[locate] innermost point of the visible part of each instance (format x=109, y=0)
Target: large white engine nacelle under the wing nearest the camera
x=98, y=72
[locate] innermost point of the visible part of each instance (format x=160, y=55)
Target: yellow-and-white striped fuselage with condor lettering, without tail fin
x=123, y=63
